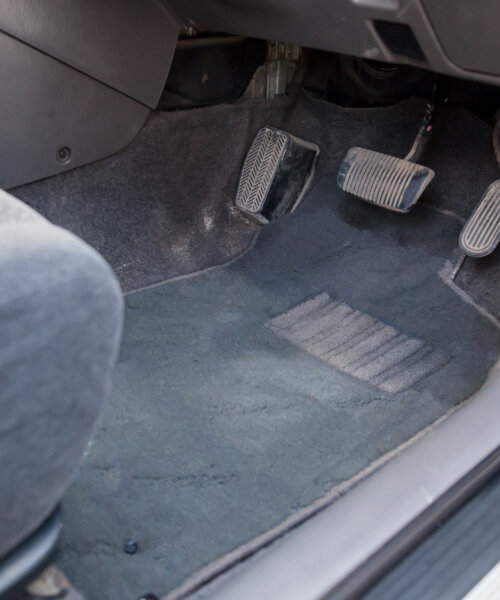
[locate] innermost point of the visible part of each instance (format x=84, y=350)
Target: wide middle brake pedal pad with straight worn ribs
x=384, y=180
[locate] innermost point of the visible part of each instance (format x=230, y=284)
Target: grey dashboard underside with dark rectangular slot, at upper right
x=454, y=37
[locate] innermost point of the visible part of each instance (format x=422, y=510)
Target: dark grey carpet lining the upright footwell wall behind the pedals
x=162, y=207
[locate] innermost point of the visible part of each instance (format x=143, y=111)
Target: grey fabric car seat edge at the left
x=60, y=325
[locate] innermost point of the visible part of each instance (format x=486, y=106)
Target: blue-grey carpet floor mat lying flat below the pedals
x=219, y=427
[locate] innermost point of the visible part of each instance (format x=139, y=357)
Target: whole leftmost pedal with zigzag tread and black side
x=277, y=172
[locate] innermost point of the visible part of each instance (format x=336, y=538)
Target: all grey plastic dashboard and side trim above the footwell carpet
x=82, y=76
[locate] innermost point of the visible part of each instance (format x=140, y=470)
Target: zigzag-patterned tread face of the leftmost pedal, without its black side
x=259, y=169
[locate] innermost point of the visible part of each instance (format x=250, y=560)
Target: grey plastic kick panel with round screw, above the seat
x=55, y=118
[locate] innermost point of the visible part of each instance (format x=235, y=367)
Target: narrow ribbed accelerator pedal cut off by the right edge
x=481, y=234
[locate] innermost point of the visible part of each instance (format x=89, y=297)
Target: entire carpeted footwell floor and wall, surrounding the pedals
x=264, y=370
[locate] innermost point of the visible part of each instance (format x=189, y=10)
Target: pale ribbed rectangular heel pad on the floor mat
x=358, y=344
